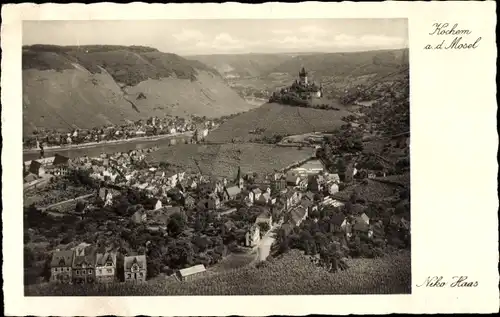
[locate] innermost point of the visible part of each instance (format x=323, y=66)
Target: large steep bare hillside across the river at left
x=90, y=86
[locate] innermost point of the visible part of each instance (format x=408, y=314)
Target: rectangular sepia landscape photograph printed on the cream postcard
x=216, y=157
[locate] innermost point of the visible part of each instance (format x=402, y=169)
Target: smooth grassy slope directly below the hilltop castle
x=276, y=119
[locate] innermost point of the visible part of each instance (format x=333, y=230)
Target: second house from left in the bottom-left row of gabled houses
x=83, y=267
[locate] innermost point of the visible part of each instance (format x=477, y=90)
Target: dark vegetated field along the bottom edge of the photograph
x=293, y=274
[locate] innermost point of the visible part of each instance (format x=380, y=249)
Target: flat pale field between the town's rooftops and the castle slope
x=224, y=159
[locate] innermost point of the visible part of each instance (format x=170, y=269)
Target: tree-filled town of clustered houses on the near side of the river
x=204, y=218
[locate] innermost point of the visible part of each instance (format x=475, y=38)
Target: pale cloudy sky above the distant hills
x=204, y=37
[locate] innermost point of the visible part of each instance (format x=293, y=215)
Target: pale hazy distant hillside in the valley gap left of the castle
x=242, y=65
